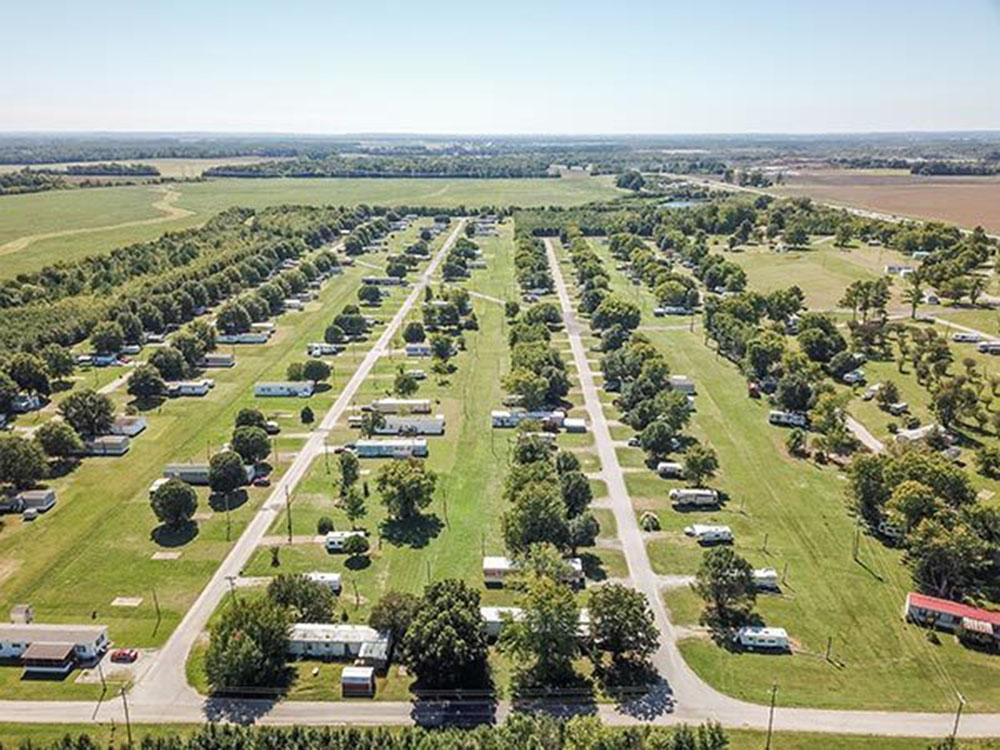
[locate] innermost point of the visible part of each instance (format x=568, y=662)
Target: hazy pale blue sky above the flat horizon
x=501, y=67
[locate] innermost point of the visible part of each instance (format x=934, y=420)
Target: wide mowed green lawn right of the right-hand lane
x=799, y=510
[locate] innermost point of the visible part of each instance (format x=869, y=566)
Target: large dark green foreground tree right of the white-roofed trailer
x=445, y=644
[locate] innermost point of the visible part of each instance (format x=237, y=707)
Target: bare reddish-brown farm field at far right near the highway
x=965, y=201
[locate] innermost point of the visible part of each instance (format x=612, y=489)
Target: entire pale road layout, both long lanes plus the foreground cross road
x=163, y=695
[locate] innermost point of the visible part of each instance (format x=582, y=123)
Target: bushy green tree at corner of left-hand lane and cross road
x=248, y=646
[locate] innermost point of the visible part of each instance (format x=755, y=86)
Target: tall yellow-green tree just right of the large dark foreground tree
x=544, y=640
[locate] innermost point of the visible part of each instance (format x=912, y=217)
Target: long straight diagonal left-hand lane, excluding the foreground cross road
x=165, y=682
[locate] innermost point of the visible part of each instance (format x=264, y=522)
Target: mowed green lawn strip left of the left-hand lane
x=98, y=542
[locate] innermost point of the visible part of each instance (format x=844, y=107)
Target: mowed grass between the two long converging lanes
x=463, y=523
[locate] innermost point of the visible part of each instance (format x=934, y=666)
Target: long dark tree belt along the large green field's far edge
x=392, y=166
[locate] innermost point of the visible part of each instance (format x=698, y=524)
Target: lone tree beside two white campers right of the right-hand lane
x=725, y=582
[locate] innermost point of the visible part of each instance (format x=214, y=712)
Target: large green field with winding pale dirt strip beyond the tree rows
x=42, y=228
